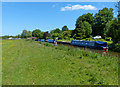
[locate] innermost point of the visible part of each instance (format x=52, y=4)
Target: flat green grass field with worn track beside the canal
x=31, y=63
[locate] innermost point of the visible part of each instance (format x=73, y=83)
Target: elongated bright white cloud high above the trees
x=77, y=7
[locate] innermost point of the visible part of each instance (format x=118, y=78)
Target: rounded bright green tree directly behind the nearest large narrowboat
x=82, y=30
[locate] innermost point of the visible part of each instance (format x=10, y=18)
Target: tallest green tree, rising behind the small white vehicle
x=101, y=18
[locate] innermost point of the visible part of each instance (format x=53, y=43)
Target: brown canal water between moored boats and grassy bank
x=110, y=53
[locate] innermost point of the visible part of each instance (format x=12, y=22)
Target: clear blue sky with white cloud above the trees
x=45, y=16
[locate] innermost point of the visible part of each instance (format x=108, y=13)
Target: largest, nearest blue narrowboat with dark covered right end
x=90, y=44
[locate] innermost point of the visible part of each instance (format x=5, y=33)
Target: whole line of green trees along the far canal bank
x=87, y=25
